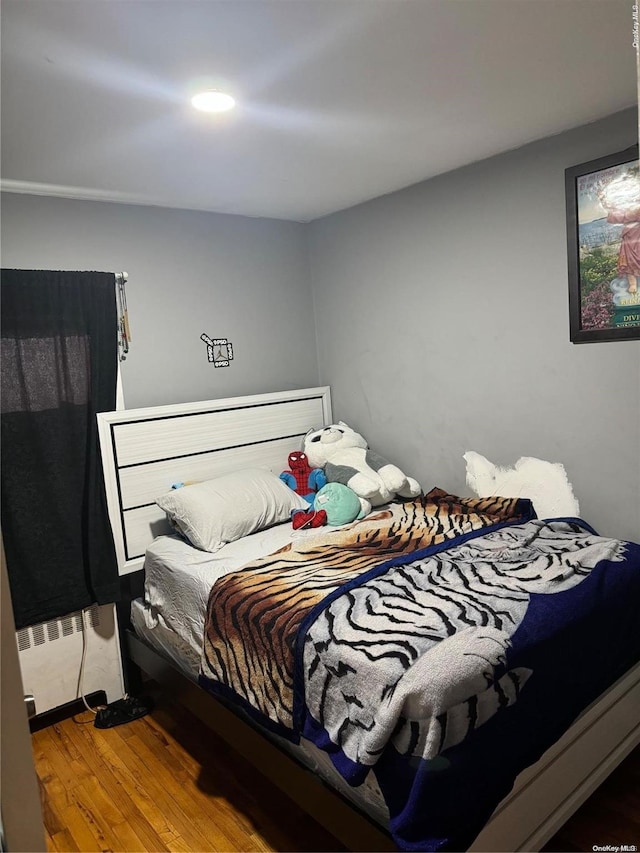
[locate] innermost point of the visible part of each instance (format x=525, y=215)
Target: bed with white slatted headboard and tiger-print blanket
x=372, y=785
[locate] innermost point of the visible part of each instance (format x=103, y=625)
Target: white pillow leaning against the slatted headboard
x=212, y=513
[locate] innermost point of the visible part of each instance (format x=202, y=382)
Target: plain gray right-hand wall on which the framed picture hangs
x=442, y=317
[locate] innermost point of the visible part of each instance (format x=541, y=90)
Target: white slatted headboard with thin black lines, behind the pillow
x=145, y=451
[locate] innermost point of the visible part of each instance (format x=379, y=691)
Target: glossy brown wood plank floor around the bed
x=165, y=782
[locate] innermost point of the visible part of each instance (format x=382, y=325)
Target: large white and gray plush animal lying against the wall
x=345, y=458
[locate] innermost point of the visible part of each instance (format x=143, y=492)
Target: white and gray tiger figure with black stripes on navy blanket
x=416, y=655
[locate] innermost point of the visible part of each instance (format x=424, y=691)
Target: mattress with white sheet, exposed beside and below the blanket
x=170, y=619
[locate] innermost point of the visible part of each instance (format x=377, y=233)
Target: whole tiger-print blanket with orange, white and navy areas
x=444, y=643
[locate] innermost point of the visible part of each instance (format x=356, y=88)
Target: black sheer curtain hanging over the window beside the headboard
x=59, y=367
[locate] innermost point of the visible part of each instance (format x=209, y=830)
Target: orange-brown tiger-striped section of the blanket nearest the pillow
x=254, y=614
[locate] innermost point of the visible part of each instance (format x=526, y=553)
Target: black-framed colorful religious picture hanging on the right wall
x=603, y=242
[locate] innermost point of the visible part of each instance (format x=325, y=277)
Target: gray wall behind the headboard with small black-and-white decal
x=229, y=276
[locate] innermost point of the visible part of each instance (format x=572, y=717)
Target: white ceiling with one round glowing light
x=339, y=101
